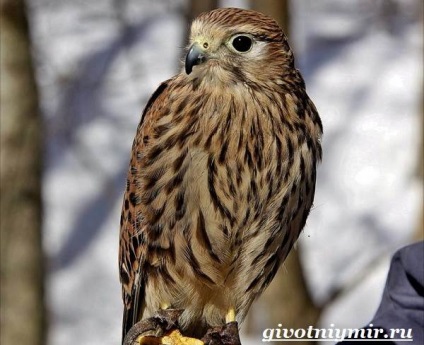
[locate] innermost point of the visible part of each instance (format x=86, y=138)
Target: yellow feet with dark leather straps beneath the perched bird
x=163, y=329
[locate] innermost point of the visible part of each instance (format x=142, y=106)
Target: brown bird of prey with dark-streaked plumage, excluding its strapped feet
x=221, y=177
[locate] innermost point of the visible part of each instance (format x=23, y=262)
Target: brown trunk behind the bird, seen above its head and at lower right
x=287, y=300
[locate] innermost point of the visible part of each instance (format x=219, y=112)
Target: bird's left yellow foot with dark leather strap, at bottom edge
x=159, y=329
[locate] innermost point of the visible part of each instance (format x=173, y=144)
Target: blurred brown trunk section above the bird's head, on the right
x=277, y=9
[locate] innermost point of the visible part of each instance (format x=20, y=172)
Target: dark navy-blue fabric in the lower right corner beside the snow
x=402, y=305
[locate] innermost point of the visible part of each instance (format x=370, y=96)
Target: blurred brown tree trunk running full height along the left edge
x=22, y=301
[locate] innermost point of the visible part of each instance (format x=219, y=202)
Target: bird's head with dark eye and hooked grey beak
x=230, y=45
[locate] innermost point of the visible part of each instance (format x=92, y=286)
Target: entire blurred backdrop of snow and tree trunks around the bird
x=75, y=76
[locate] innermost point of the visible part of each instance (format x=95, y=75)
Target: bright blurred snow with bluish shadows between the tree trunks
x=99, y=61
